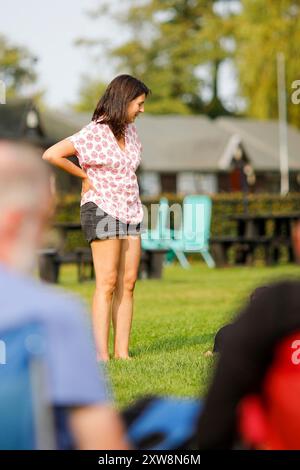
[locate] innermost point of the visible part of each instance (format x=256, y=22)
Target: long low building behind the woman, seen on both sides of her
x=181, y=154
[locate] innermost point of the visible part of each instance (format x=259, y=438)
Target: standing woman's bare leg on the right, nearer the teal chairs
x=122, y=307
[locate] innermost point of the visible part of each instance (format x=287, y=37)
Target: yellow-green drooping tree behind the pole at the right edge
x=262, y=30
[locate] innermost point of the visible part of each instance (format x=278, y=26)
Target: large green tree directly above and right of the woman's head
x=170, y=41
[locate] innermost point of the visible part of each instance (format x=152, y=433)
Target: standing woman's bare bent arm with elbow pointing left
x=56, y=155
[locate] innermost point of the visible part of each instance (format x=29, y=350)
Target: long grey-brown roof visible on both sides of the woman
x=171, y=143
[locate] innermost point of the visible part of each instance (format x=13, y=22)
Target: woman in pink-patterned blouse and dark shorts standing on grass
x=111, y=213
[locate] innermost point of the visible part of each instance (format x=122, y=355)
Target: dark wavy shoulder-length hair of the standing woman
x=112, y=106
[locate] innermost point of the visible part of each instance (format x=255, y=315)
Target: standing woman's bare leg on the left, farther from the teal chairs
x=106, y=258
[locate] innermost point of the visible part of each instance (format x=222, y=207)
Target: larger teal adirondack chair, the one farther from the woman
x=193, y=235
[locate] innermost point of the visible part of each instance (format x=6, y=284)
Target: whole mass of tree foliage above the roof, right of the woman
x=172, y=39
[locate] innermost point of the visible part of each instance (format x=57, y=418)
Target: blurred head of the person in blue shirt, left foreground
x=26, y=203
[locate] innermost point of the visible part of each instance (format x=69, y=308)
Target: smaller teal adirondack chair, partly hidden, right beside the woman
x=158, y=238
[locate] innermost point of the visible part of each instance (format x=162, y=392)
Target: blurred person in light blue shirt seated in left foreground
x=77, y=386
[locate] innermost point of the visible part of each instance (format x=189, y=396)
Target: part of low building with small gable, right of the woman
x=185, y=154
